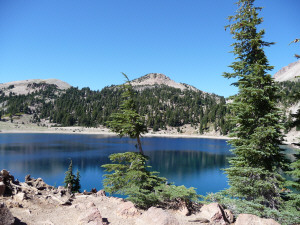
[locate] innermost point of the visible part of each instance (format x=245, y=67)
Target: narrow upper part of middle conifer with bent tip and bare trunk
x=127, y=121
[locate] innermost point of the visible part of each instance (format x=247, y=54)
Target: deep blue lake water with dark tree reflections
x=191, y=162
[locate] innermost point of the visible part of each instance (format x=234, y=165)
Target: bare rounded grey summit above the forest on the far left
x=24, y=87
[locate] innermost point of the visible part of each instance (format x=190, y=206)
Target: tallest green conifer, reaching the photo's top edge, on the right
x=253, y=173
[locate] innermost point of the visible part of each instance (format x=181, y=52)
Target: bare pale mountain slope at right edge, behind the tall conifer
x=288, y=73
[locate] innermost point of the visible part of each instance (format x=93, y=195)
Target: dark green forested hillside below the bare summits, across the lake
x=161, y=106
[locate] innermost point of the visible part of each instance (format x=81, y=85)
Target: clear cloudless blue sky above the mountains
x=89, y=43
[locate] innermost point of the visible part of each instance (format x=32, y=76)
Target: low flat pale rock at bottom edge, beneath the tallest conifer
x=248, y=219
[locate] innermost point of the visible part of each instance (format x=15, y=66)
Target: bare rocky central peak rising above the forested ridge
x=152, y=80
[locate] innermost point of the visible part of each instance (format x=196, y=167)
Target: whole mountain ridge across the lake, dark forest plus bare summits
x=163, y=102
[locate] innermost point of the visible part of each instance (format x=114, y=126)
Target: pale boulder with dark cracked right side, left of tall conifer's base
x=214, y=213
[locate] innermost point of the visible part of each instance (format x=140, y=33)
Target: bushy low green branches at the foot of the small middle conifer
x=131, y=176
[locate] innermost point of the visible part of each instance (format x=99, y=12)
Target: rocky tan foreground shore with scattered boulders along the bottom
x=35, y=202
